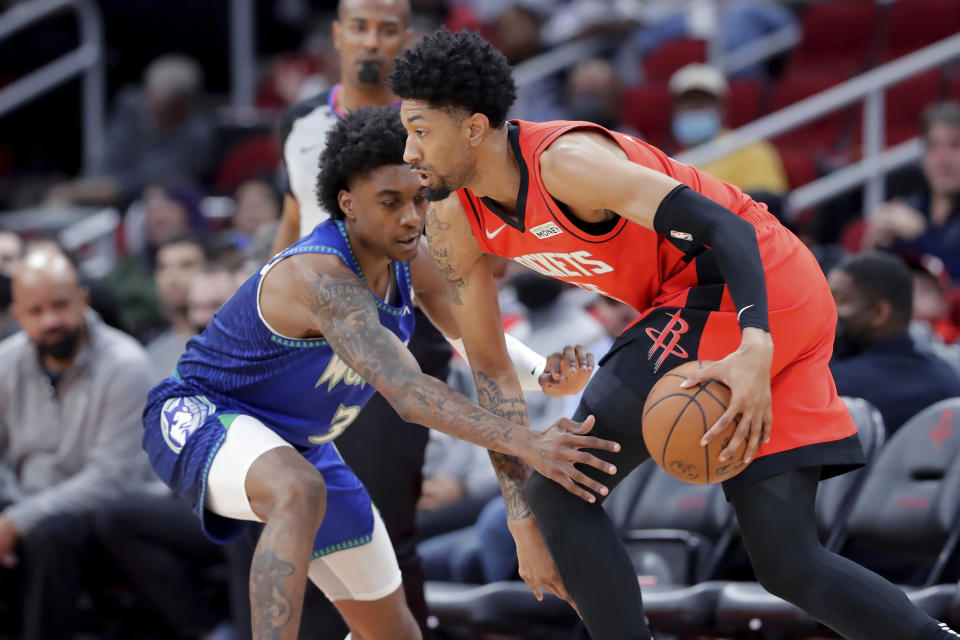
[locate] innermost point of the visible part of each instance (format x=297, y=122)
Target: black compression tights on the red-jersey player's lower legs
x=778, y=527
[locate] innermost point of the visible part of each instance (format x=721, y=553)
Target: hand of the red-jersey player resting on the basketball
x=747, y=372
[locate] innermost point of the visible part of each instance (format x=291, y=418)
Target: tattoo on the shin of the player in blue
x=272, y=609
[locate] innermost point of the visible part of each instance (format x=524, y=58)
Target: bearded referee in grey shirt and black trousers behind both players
x=367, y=34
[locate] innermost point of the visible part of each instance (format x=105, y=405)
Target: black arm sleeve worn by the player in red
x=733, y=242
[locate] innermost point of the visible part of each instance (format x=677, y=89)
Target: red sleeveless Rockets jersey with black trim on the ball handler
x=620, y=258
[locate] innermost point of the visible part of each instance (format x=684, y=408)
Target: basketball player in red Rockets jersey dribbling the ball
x=715, y=276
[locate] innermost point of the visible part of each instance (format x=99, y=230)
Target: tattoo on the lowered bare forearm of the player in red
x=511, y=471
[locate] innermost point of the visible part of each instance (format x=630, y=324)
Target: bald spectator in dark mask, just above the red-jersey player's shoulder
x=594, y=94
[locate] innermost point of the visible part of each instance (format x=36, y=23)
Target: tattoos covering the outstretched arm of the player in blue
x=344, y=311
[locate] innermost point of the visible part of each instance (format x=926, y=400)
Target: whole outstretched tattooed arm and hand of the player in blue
x=317, y=295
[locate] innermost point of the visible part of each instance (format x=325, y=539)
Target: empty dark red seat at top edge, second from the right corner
x=836, y=36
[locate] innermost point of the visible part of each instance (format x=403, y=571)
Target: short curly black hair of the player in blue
x=361, y=141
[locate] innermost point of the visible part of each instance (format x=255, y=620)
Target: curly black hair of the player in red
x=461, y=71
